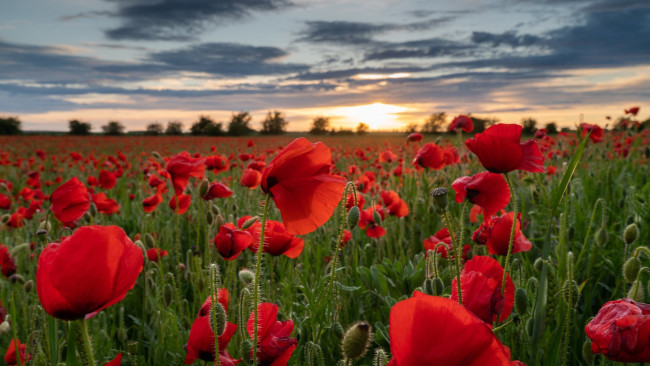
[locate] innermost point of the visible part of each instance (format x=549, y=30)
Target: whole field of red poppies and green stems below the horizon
x=462, y=248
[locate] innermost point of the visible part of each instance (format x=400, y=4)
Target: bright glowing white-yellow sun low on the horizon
x=378, y=116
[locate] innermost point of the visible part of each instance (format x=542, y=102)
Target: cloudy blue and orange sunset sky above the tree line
x=385, y=63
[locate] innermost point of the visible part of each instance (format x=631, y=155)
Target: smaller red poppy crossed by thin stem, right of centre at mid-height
x=495, y=233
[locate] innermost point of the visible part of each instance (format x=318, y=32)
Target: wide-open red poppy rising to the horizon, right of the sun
x=500, y=151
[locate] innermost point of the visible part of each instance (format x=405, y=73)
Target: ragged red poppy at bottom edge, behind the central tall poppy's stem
x=274, y=346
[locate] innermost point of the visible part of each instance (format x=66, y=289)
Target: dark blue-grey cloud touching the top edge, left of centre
x=181, y=20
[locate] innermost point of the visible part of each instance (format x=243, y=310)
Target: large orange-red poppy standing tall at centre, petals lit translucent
x=301, y=185
